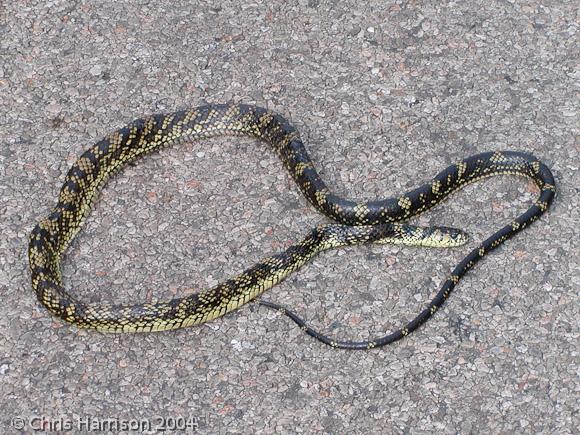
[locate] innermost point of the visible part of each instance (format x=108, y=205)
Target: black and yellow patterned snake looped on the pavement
x=376, y=221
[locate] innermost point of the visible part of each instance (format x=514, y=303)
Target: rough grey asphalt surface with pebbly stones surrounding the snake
x=385, y=94
